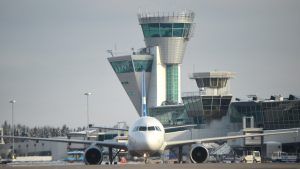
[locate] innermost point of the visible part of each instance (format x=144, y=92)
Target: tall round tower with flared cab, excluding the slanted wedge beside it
x=170, y=33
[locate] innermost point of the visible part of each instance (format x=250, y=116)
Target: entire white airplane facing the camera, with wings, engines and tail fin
x=146, y=136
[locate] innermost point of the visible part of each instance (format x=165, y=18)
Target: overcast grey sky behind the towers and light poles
x=53, y=51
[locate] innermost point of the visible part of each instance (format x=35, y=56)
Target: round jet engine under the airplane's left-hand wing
x=93, y=155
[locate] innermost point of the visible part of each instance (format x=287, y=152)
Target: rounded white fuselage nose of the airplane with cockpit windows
x=146, y=135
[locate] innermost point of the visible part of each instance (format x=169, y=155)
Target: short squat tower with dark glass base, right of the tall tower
x=212, y=100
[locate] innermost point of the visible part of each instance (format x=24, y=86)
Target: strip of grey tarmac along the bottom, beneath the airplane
x=165, y=166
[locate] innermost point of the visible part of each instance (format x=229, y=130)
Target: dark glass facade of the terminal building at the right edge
x=268, y=114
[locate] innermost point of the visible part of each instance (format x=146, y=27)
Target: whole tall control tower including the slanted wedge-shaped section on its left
x=166, y=37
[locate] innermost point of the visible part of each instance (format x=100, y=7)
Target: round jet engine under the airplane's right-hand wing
x=198, y=153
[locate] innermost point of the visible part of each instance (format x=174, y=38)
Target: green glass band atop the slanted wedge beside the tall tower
x=128, y=66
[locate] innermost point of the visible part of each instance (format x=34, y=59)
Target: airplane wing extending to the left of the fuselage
x=117, y=145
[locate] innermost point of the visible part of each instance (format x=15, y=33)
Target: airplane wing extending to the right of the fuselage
x=170, y=144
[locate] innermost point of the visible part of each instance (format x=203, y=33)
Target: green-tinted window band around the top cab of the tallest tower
x=166, y=29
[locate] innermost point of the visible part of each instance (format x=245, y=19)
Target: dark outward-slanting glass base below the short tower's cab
x=203, y=109
